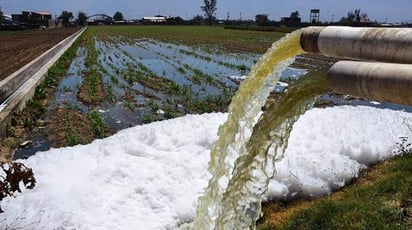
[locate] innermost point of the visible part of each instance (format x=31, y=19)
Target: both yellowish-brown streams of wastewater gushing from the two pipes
x=242, y=158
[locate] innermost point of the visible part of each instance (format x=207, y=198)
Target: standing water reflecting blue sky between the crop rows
x=198, y=75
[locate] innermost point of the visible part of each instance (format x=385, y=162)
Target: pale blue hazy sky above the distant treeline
x=379, y=10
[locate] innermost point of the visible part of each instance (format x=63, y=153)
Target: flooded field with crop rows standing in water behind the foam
x=116, y=80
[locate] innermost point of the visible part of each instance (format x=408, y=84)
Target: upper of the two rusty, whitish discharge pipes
x=379, y=44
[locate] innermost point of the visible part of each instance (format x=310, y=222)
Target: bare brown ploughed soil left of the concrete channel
x=19, y=48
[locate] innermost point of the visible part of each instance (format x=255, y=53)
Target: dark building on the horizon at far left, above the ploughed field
x=39, y=19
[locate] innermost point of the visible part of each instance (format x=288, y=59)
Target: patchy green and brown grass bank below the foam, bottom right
x=380, y=199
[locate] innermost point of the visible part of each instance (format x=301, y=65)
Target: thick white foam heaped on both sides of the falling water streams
x=154, y=181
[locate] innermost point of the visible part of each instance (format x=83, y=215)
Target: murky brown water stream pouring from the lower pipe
x=241, y=202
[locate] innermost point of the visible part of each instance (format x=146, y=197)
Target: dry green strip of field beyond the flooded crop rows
x=233, y=40
